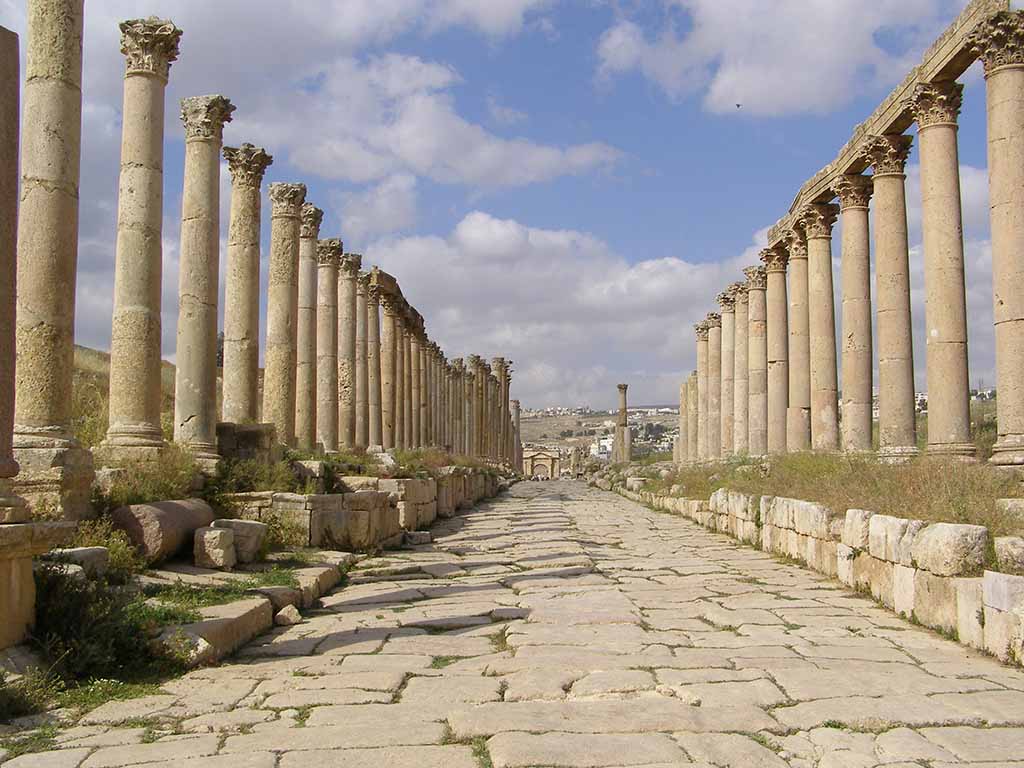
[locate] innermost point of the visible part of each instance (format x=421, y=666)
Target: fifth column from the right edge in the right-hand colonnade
x=818, y=221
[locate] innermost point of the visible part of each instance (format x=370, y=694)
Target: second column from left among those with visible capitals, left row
x=199, y=278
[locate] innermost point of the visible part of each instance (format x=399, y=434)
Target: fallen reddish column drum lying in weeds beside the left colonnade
x=162, y=530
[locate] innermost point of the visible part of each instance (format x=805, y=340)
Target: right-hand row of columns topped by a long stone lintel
x=789, y=362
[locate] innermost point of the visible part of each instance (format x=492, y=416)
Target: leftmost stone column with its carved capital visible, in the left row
x=150, y=47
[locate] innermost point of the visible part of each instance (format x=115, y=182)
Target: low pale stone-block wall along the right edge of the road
x=937, y=575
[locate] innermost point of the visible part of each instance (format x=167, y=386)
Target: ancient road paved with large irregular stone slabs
x=564, y=626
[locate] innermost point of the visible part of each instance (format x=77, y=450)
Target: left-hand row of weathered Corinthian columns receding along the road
x=348, y=361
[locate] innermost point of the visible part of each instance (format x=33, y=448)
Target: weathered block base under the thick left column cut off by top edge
x=56, y=482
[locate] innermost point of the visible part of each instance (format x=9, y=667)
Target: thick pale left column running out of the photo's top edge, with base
x=56, y=471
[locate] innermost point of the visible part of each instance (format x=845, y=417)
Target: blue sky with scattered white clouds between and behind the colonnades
x=568, y=183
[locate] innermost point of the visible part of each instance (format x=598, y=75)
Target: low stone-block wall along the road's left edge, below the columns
x=373, y=513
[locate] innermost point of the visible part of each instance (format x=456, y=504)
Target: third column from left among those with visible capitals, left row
x=241, y=375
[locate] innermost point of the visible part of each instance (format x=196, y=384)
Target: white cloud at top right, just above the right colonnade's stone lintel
x=784, y=58
